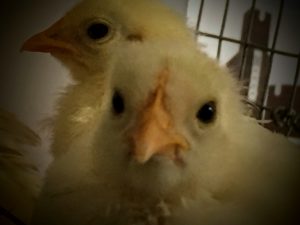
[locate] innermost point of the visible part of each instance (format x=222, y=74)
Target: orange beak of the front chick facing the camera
x=155, y=133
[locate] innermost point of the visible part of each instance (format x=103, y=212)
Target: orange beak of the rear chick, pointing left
x=50, y=41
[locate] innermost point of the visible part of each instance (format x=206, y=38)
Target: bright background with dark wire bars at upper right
x=259, y=42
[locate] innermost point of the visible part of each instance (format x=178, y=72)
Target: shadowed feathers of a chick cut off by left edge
x=19, y=178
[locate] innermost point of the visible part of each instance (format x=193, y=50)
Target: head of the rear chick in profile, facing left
x=86, y=37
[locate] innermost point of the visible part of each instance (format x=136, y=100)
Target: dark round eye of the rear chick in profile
x=98, y=30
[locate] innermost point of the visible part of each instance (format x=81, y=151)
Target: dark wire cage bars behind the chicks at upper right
x=284, y=119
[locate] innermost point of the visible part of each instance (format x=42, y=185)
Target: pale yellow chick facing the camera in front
x=169, y=143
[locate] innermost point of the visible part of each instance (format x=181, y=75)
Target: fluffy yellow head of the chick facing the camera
x=164, y=113
